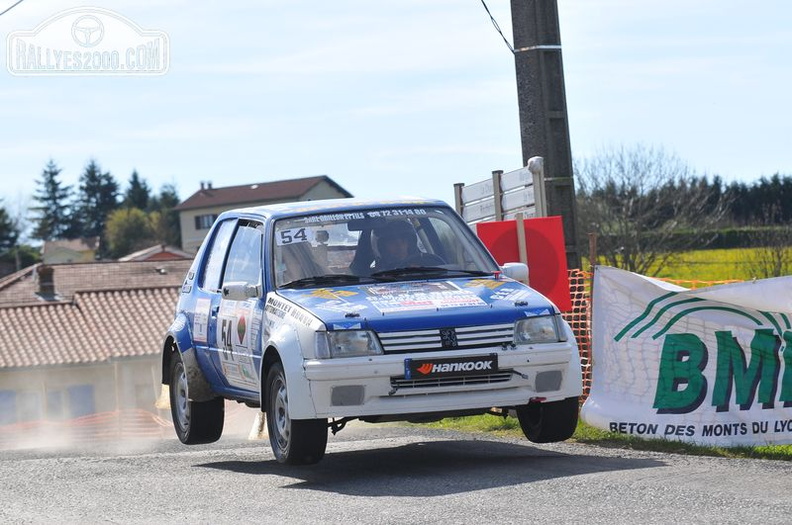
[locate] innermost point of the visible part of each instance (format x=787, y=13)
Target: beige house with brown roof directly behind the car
x=199, y=211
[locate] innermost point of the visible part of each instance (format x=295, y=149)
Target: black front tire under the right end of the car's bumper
x=549, y=422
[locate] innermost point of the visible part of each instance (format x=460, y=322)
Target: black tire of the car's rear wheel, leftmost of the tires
x=195, y=422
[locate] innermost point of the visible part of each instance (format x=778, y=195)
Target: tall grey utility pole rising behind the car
x=541, y=97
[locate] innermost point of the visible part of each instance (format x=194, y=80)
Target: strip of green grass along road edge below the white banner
x=510, y=427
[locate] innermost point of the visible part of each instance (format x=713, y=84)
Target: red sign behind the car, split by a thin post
x=546, y=255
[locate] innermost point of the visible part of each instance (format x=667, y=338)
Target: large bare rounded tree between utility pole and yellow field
x=646, y=206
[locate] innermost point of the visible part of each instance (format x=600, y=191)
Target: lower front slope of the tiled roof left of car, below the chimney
x=94, y=327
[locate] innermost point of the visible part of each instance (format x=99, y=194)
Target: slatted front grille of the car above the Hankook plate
x=433, y=340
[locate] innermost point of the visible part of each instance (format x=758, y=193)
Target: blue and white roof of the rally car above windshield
x=290, y=209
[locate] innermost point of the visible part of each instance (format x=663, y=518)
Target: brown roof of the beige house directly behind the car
x=277, y=191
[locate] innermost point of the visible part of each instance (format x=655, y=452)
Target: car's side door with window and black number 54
x=238, y=333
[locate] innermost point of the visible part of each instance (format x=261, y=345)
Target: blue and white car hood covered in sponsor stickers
x=422, y=304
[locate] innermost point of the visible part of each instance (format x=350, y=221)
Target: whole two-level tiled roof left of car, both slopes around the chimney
x=102, y=311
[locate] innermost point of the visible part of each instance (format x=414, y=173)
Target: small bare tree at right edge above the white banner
x=773, y=255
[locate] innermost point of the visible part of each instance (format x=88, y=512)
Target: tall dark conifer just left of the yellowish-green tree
x=96, y=199
